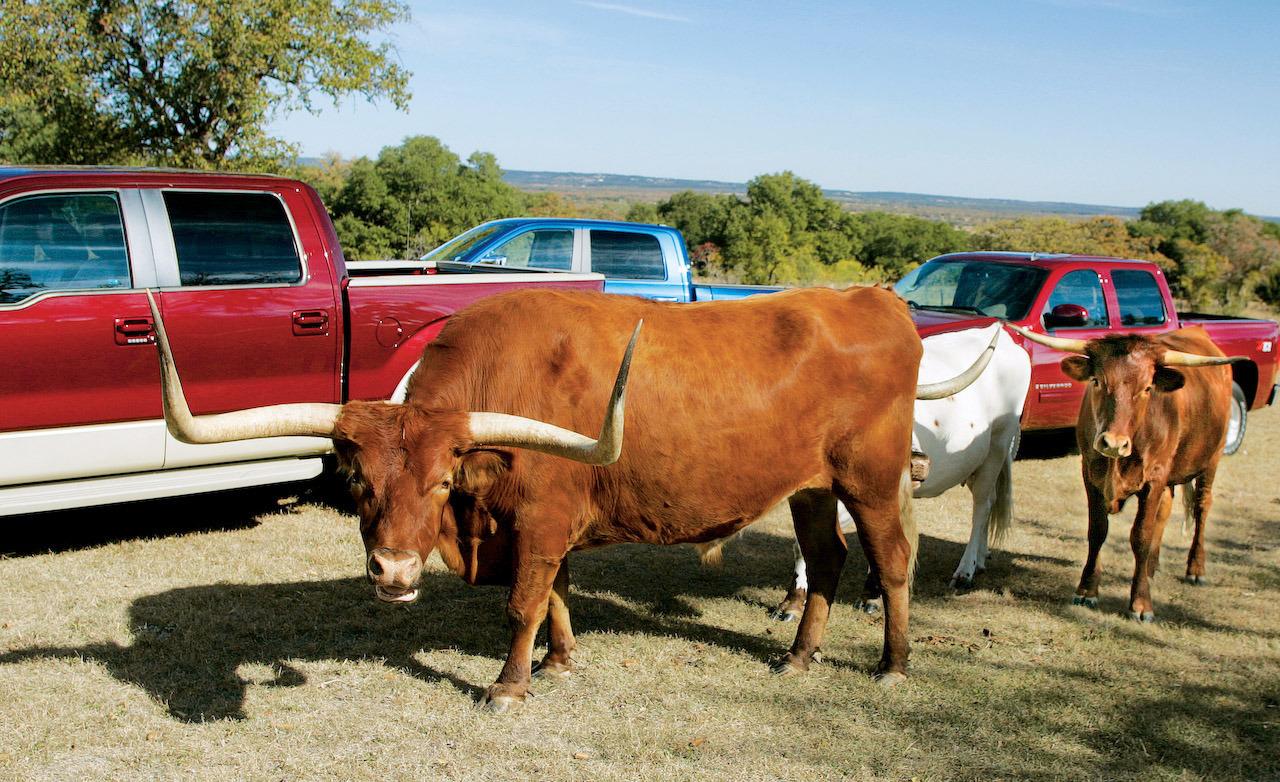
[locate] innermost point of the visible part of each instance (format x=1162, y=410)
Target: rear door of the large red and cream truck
x=249, y=301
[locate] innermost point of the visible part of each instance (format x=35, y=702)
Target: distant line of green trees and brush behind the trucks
x=785, y=231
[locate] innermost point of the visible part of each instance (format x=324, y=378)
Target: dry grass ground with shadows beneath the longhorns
x=234, y=638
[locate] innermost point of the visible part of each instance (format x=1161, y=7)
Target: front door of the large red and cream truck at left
x=80, y=391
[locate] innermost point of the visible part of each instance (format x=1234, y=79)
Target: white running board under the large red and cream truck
x=150, y=486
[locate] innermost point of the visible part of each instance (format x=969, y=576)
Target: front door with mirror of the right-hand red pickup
x=1058, y=397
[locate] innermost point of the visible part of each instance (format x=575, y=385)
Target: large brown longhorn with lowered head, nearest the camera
x=737, y=408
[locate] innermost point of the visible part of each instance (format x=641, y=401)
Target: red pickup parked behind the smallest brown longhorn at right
x=1081, y=298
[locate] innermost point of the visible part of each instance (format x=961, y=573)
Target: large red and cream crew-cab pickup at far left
x=259, y=303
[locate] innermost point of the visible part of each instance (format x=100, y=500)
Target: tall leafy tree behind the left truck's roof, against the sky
x=184, y=83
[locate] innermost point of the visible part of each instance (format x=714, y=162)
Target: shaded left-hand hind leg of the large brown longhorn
x=813, y=513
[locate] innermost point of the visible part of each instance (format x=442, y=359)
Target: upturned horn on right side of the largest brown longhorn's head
x=501, y=429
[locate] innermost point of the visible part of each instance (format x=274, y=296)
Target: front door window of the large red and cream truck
x=62, y=243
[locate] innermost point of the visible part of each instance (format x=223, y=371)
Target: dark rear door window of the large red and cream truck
x=232, y=239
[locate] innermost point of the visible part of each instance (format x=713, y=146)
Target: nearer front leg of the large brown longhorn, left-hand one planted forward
x=527, y=609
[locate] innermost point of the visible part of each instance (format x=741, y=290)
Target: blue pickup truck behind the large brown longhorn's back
x=634, y=258
